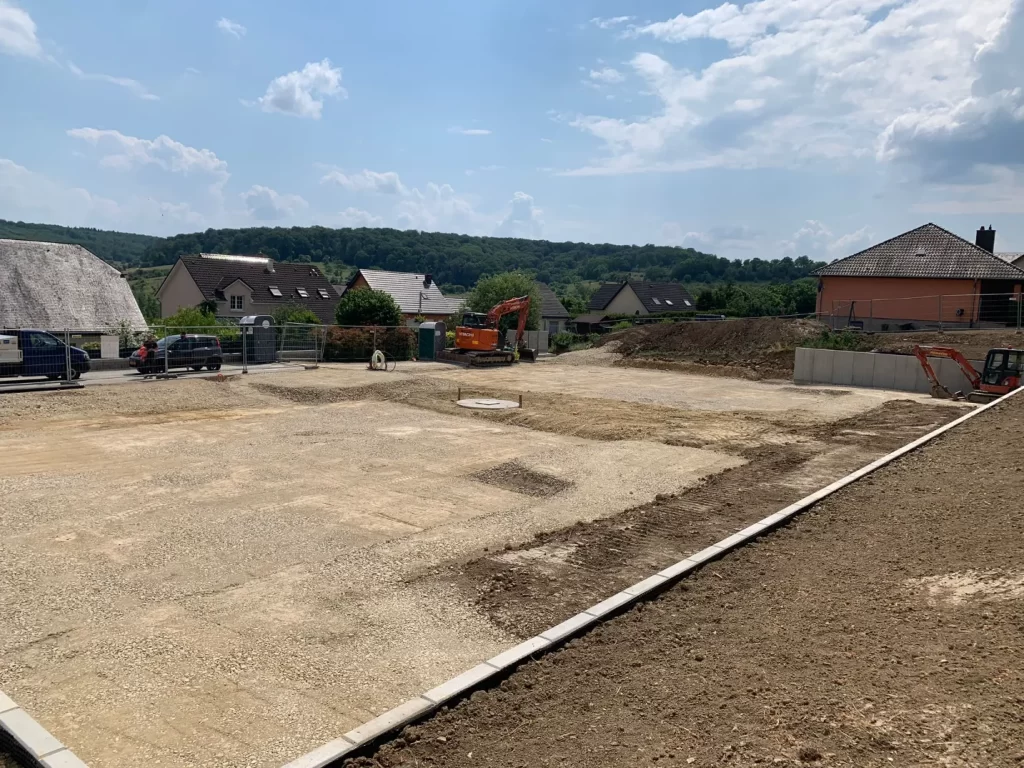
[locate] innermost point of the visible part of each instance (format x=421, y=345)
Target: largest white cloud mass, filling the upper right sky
x=827, y=81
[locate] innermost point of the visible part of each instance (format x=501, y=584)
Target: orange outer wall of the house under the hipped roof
x=894, y=302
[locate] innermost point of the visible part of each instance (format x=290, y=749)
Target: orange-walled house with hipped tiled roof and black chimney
x=923, y=279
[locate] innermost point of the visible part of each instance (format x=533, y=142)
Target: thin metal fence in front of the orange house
x=942, y=313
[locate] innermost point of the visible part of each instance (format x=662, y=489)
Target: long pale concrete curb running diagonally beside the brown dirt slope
x=485, y=675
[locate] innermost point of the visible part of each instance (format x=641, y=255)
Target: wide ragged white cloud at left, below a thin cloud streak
x=132, y=152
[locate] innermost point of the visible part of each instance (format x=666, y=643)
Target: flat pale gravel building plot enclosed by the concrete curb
x=231, y=573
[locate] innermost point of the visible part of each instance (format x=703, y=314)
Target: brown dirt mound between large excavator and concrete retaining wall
x=762, y=348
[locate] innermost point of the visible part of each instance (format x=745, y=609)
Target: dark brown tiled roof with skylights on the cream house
x=215, y=272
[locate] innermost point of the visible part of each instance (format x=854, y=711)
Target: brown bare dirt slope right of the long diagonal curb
x=881, y=628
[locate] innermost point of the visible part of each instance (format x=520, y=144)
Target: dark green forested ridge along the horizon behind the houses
x=454, y=261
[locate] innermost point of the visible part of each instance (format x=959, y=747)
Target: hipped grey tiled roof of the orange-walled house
x=928, y=251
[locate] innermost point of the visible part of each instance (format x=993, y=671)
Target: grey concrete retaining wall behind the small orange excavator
x=901, y=372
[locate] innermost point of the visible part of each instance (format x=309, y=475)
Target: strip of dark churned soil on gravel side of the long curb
x=527, y=590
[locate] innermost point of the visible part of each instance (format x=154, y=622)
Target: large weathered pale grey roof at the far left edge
x=54, y=286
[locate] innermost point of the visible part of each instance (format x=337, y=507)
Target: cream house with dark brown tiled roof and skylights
x=246, y=285
